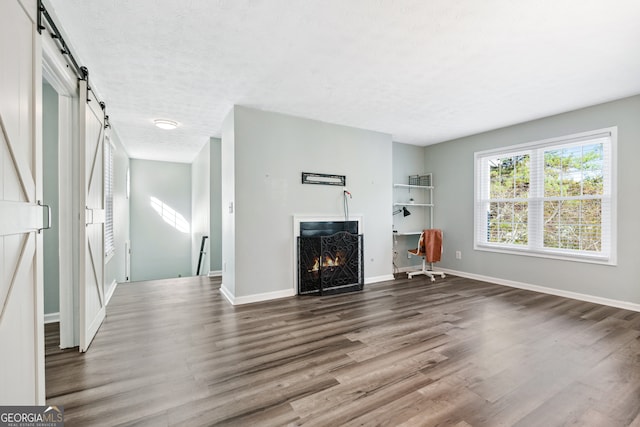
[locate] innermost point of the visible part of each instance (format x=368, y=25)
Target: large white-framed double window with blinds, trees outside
x=552, y=198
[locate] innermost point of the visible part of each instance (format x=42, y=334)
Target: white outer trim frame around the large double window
x=560, y=254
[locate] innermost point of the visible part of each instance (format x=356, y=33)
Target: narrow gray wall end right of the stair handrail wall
x=215, y=236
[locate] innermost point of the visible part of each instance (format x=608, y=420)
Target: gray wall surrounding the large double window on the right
x=453, y=166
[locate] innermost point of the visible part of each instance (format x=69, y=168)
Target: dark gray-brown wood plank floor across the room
x=458, y=352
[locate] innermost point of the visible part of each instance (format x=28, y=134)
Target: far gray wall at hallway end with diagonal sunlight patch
x=158, y=249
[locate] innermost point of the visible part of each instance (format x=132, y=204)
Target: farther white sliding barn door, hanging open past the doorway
x=91, y=274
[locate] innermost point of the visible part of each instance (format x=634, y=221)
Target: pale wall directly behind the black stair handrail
x=200, y=205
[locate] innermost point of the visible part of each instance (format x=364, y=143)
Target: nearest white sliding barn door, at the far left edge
x=21, y=302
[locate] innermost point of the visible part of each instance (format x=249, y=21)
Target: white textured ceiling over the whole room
x=422, y=71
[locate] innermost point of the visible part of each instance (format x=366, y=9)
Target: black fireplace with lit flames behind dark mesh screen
x=330, y=258
